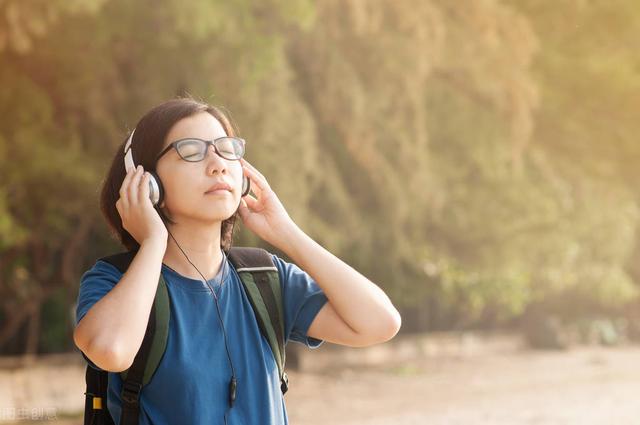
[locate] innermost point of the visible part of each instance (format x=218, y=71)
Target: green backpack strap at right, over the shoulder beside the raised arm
x=261, y=281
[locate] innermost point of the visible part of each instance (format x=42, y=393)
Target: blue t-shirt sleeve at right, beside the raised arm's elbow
x=303, y=299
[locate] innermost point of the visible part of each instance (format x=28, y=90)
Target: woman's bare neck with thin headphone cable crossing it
x=201, y=244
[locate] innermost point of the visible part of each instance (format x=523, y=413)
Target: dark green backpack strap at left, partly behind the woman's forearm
x=153, y=344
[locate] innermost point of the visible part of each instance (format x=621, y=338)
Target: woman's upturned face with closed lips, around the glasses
x=186, y=183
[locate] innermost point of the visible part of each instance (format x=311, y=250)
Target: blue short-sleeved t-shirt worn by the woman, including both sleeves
x=191, y=383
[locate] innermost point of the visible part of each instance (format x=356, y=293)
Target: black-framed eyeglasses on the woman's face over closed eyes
x=193, y=149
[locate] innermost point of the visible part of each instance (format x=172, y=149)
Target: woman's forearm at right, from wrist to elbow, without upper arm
x=359, y=302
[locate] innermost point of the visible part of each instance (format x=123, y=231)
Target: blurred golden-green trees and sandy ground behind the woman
x=476, y=159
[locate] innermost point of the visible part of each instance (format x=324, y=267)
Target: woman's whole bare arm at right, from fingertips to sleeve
x=357, y=313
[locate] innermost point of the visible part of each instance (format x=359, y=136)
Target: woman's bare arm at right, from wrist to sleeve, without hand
x=358, y=313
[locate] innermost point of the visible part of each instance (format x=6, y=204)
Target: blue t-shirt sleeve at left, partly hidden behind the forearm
x=95, y=283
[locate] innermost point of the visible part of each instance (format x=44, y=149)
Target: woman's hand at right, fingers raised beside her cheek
x=265, y=215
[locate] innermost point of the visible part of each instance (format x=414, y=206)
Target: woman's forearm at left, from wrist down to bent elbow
x=111, y=332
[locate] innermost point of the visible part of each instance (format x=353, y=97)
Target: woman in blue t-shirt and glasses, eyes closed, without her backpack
x=185, y=237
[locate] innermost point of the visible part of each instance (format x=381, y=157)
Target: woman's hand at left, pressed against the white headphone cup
x=138, y=215
